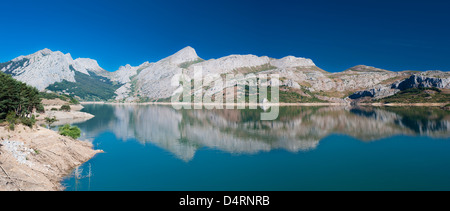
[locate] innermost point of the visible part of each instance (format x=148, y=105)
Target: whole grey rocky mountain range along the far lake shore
x=301, y=79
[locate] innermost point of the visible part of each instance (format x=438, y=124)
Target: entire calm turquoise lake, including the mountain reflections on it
x=306, y=148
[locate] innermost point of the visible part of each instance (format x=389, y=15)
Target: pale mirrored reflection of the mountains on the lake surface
x=183, y=132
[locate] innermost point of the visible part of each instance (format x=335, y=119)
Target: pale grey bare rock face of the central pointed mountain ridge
x=154, y=82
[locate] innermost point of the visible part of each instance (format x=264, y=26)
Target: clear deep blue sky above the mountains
x=395, y=35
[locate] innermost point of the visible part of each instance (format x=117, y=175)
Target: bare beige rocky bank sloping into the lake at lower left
x=38, y=159
